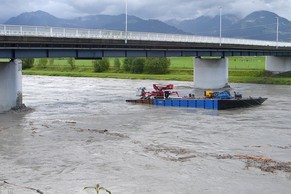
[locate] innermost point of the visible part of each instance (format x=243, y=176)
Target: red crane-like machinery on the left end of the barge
x=161, y=92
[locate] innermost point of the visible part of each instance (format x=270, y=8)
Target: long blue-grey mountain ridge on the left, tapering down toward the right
x=40, y=18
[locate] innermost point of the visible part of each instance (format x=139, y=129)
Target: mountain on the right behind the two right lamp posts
x=259, y=25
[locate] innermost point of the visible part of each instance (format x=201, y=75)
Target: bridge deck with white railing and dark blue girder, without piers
x=39, y=42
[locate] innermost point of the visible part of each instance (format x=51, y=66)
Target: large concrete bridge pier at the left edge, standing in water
x=10, y=85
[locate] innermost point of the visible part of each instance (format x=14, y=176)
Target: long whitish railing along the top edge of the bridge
x=43, y=31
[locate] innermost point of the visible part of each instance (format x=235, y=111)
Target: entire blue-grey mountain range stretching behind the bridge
x=259, y=25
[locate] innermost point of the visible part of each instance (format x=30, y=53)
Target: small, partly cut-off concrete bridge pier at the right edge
x=278, y=64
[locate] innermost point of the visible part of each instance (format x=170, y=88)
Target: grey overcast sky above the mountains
x=146, y=9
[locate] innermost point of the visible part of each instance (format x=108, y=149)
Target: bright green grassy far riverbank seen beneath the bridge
x=241, y=70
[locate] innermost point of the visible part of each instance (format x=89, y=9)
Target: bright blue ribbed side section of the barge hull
x=194, y=103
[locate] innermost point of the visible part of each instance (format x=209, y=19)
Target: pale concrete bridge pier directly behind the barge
x=210, y=73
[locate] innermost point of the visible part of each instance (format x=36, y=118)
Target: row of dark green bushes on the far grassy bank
x=130, y=65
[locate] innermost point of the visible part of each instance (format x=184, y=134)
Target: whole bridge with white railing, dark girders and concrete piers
x=17, y=42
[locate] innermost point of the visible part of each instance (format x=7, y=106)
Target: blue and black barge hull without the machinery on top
x=212, y=104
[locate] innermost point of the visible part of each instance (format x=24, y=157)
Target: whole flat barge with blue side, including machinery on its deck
x=162, y=96
